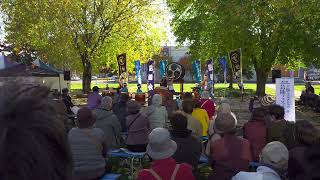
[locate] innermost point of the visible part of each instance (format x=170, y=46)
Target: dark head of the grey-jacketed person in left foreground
x=85, y=118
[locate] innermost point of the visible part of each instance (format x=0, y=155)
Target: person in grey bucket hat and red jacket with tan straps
x=161, y=148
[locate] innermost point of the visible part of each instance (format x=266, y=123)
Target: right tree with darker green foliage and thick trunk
x=268, y=31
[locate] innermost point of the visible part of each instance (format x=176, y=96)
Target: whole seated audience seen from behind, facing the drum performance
x=35, y=142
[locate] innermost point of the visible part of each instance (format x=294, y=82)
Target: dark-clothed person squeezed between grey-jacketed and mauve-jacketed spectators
x=120, y=109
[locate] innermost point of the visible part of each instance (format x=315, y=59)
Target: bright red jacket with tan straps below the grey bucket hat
x=164, y=168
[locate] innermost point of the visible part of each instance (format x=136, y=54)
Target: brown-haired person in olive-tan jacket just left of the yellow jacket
x=193, y=124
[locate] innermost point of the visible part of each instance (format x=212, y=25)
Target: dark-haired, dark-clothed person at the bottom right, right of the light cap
x=306, y=135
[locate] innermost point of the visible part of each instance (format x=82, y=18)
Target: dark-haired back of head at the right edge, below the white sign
x=306, y=134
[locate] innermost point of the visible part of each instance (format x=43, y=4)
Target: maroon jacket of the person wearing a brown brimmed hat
x=228, y=156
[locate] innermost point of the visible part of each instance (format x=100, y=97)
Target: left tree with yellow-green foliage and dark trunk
x=84, y=33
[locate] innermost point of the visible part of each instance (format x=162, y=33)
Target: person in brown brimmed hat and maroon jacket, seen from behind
x=229, y=154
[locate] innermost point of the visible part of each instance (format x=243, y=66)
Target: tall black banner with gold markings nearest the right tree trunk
x=235, y=58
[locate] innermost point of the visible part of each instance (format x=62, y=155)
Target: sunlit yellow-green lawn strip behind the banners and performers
x=220, y=89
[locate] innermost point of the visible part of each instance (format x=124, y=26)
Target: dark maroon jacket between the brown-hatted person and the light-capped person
x=256, y=133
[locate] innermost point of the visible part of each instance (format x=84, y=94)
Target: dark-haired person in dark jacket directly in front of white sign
x=280, y=129
